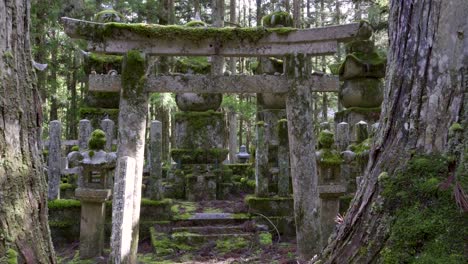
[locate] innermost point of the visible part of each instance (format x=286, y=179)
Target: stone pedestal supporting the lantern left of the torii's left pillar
x=93, y=208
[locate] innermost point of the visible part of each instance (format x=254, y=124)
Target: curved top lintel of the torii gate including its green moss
x=152, y=39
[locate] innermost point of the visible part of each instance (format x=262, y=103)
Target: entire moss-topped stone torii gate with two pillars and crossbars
x=134, y=85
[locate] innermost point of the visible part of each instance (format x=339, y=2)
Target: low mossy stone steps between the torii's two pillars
x=207, y=234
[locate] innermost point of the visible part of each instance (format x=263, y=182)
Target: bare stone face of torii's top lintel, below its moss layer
x=306, y=41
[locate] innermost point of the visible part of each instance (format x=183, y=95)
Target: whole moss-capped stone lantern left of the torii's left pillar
x=93, y=192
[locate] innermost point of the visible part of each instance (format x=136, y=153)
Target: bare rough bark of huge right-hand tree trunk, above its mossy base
x=424, y=95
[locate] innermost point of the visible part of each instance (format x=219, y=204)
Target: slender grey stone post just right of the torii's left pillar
x=154, y=190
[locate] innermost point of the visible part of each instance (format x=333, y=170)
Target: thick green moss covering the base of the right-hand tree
x=428, y=227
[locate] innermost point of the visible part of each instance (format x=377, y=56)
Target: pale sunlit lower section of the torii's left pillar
x=122, y=210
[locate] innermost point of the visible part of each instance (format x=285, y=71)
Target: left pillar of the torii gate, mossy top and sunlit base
x=131, y=143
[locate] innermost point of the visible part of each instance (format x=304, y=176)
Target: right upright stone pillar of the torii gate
x=302, y=154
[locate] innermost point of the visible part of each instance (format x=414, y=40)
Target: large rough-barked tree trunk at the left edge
x=23, y=198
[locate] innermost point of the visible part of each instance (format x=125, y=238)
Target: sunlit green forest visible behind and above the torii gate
x=63, y=84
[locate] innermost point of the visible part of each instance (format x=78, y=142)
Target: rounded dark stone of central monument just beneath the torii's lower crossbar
x=198, y=102
